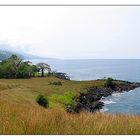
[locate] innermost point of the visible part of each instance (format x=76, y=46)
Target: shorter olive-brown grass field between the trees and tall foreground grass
x=24, y=91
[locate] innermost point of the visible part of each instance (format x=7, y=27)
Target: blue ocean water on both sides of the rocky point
x=123, y=69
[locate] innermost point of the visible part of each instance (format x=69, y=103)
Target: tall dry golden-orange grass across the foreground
x=20, y=120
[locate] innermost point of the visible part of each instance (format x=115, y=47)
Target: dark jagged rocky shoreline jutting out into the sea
x=90, y=98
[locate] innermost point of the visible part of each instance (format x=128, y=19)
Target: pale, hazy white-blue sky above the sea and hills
x=72, y=32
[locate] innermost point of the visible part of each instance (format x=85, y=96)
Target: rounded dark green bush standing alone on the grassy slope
x=41, y=100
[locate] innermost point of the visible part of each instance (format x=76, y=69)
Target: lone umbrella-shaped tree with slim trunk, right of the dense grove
x=42, y=67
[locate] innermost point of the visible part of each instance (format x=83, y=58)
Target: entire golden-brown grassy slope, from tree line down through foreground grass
x=19, y=113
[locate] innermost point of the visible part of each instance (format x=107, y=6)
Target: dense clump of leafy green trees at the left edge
x=14, y=67
